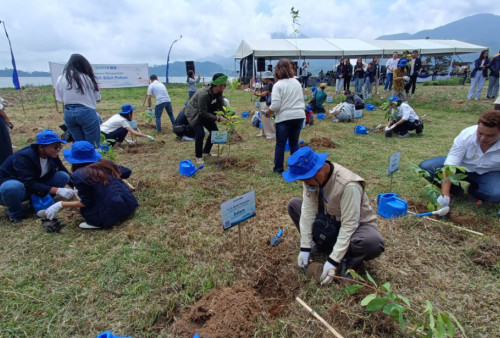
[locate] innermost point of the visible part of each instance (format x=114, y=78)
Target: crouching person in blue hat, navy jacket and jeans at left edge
x=35, y=169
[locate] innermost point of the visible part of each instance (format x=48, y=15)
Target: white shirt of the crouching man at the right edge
x=466, y=151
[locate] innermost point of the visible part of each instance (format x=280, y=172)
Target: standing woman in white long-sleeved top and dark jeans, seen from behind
x=288, y=106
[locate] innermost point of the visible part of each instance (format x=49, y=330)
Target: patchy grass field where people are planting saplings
x=171, y=270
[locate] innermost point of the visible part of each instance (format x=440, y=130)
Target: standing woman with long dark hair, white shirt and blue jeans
x=78, y=90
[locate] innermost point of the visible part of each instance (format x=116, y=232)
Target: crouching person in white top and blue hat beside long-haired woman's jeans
x=118, y=126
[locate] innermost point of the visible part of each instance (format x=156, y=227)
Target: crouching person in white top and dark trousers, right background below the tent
x=406, y=119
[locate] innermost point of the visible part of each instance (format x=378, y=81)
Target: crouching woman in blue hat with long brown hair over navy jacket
x=104, y=197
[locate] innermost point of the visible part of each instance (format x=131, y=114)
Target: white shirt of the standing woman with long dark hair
x=70, y=96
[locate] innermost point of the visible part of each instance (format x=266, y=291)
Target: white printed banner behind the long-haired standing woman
x=111, y=75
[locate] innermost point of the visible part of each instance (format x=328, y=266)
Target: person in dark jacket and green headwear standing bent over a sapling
x=201, y=113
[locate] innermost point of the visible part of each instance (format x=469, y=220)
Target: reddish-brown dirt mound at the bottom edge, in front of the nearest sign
x=228, y=312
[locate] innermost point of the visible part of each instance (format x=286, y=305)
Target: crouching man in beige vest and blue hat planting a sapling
x=333, y=196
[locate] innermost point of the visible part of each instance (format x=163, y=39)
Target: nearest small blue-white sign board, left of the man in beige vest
x=238, y=210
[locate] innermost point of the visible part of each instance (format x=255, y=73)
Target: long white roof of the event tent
x=325, y=48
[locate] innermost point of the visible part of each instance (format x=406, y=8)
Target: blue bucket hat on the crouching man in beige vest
x=303, y=164
